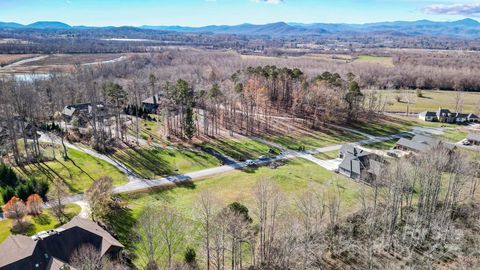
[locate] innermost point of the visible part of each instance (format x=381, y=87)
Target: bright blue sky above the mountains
x=231, y=12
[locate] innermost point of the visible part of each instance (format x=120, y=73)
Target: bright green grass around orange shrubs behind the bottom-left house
x=44, y=222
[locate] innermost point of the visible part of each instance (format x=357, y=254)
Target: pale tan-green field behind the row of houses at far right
x=432, y=100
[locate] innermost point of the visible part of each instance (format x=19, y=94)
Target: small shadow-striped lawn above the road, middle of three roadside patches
x=240, y=149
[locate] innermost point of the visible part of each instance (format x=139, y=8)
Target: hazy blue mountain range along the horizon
x=466, y=28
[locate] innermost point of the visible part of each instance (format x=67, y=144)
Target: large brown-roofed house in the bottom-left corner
x=53, y=249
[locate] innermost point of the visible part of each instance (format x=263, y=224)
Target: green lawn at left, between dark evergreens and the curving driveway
x=78, y=172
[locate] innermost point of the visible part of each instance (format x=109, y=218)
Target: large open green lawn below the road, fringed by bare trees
x=293, y=178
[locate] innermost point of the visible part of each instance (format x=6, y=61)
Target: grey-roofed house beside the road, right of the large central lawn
x=360, y=164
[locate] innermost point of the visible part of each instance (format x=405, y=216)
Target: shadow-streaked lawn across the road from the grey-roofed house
x=325, y=136
